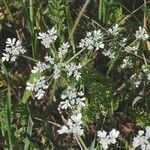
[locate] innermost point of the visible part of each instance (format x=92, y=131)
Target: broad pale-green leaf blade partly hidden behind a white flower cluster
x=28, y=93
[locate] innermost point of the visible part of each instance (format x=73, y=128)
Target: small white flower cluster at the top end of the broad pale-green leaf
x=40, y=67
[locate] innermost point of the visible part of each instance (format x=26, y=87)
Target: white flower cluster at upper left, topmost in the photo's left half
x=48, y=37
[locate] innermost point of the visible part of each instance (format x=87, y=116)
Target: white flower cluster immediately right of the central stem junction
x=73, y=69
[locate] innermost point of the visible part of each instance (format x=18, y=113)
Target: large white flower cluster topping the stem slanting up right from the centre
x=92, y=40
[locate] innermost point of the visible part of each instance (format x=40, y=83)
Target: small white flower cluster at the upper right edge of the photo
x=141, y=34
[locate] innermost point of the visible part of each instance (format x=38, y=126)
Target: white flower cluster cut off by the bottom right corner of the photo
x=142, y=139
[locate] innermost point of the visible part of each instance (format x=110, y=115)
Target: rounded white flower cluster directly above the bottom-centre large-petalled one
x=72, y=99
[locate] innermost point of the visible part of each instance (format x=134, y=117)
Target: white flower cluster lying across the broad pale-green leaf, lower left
x=38, y=86
